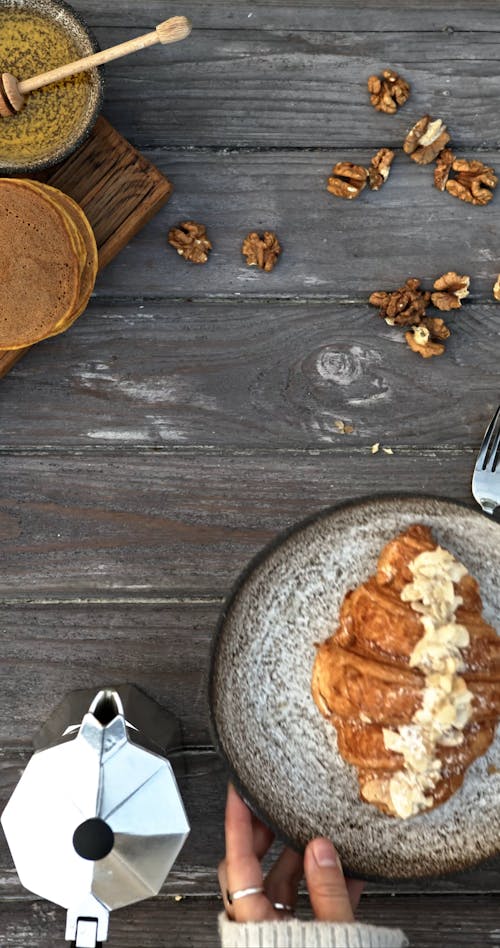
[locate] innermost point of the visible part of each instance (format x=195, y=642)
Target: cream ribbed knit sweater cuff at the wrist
x=293, y=933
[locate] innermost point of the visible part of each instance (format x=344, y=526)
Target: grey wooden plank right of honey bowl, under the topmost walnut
x=304, y=85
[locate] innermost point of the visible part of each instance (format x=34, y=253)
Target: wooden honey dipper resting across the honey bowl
x=13, y=92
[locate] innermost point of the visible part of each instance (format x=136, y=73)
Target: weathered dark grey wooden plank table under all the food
x=190, y=414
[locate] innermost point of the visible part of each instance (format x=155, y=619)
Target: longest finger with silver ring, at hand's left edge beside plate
x=243, y=869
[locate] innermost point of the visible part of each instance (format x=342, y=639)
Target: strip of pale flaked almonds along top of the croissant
x=446, y=700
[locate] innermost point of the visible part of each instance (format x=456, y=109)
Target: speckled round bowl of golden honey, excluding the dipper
x=35, y=36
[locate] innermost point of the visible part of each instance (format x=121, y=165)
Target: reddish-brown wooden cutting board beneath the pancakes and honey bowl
x=119, y=190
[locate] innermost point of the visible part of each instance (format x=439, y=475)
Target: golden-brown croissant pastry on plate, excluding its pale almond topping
x=363, y=682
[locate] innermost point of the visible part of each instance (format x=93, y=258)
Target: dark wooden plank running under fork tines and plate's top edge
x=160, y=523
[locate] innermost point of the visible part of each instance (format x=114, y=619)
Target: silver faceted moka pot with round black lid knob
x=96, y=820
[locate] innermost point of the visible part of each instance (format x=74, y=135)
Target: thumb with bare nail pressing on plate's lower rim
x=326, y=883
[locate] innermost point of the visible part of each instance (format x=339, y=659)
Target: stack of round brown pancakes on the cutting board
x=48, y=262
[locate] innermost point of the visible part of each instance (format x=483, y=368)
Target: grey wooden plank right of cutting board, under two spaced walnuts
x=332, y=249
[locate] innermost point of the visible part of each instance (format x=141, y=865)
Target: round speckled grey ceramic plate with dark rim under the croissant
x=282, y=753
